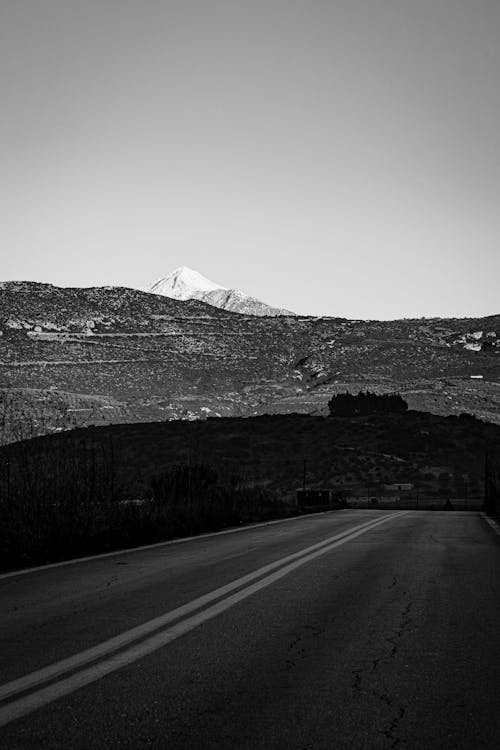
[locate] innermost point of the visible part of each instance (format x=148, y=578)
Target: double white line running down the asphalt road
x=26, y=694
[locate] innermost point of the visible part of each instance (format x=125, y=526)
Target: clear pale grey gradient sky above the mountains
x=335, y=157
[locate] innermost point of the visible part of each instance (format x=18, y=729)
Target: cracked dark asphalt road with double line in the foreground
x=351, y=629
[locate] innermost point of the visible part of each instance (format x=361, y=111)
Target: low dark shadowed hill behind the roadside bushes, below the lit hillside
x=357, y=454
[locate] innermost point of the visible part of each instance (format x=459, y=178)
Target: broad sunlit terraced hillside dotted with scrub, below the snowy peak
x=74, y=357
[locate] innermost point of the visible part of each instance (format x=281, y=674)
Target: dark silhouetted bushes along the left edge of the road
x=65, y=504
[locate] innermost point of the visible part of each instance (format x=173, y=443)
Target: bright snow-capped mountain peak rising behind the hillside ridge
x=184, y=284
